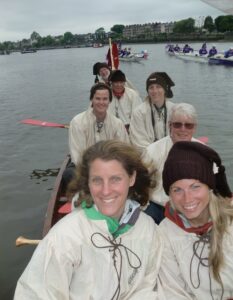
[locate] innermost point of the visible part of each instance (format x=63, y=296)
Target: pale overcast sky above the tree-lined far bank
x=19, y=18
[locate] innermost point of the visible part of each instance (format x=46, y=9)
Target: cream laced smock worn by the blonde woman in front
x=177, y=261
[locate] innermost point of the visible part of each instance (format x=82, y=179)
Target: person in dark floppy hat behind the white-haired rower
x=149, y=121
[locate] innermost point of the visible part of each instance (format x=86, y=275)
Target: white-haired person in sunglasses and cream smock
x=182, y=126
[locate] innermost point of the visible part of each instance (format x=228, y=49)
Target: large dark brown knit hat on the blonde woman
x=193, y=160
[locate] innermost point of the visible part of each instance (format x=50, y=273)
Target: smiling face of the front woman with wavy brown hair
x=109, y=184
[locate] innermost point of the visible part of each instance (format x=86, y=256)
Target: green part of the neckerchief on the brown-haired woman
x=113, y=224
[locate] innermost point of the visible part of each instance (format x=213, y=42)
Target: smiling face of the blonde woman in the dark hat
x=191, y=198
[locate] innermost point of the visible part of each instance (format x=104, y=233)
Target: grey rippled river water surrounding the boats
x=54, y=85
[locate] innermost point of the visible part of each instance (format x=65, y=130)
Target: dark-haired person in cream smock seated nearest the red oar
x=93, y=125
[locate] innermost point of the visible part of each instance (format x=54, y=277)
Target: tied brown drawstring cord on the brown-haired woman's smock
x=114, y=247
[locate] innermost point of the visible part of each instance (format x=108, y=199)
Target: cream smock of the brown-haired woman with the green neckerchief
x=79, y=260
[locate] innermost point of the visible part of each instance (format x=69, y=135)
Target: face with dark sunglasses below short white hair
x=181, y=128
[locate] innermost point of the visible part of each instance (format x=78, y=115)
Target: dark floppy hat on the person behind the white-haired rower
x=162, y=79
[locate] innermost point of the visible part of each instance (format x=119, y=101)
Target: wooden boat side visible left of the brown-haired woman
x=58, y=206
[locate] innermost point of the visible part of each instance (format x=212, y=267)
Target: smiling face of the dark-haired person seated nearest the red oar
x=100, y=102
